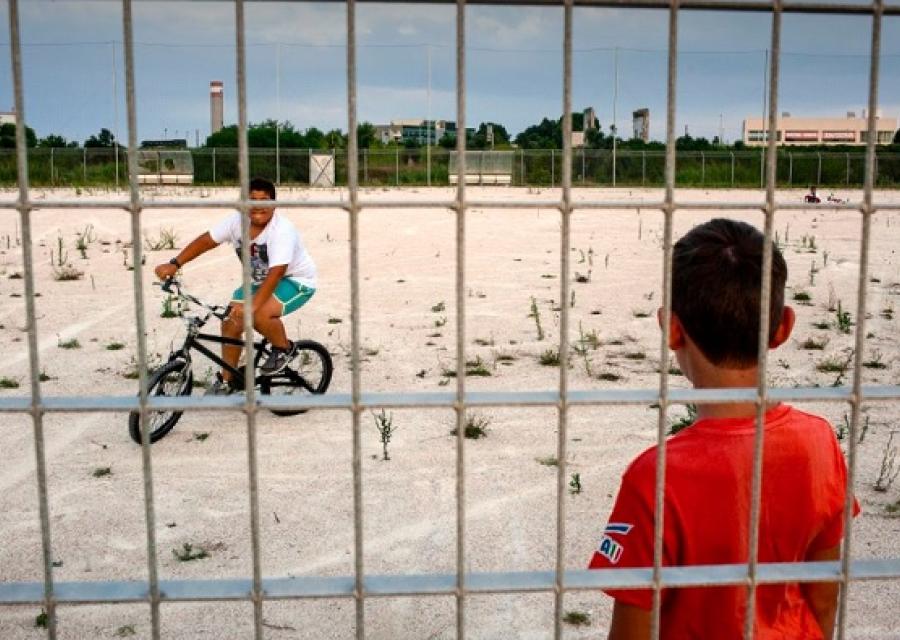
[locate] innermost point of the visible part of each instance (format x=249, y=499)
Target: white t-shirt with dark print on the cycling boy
x=279, y=243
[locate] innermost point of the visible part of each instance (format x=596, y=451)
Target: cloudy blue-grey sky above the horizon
x=73, y=65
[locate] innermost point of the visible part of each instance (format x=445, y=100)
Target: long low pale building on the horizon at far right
x=820, y=131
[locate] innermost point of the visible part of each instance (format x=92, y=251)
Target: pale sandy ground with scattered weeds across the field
x=407, y=262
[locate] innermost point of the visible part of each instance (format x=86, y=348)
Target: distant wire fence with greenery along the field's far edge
x=527, y=167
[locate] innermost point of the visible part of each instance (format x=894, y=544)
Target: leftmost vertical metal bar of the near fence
x=37, y=413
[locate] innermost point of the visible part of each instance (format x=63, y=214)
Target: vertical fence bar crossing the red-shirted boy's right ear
x=763, y=343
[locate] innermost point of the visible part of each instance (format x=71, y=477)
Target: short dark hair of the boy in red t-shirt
x=716, y=289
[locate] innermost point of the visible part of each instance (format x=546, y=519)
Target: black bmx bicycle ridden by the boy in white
x=308, y=372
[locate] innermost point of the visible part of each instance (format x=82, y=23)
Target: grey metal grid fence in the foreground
x=461, y=584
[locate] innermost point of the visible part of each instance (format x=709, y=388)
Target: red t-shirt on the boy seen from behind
x=709, y=471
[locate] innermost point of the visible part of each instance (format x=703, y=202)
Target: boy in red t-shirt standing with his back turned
x=714, y=331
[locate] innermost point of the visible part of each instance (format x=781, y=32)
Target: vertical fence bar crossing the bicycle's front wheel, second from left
x=135, y=209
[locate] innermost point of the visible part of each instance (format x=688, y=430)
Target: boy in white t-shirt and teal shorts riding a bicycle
x=283, y=279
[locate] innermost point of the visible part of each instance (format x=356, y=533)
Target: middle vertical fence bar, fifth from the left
x=460, y=406
